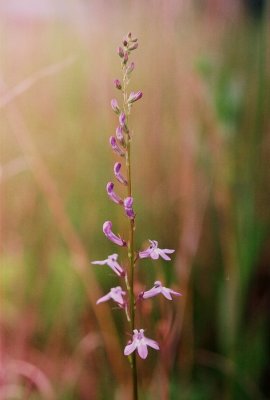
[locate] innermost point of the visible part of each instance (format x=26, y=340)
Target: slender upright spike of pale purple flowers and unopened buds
x=120, y=144
